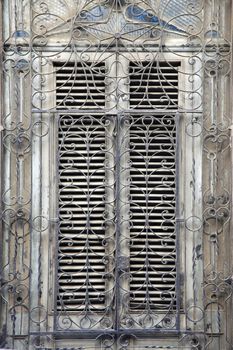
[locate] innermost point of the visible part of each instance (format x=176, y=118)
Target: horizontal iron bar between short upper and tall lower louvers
x=109, y=112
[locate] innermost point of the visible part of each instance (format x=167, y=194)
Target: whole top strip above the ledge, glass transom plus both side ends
x=69, y=21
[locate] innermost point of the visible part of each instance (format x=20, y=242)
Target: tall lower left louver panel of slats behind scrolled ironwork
x=82, y=231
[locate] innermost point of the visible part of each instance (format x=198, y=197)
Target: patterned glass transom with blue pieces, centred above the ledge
x=102, y=21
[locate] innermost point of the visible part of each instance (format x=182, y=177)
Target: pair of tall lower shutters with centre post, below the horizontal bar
x=117, y=237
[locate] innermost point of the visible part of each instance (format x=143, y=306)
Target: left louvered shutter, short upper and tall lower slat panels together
x=81, y=267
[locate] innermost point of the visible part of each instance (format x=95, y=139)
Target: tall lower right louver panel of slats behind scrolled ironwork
x=152, y=207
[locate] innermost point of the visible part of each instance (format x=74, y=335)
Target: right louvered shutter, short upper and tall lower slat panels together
x=152, y=191
